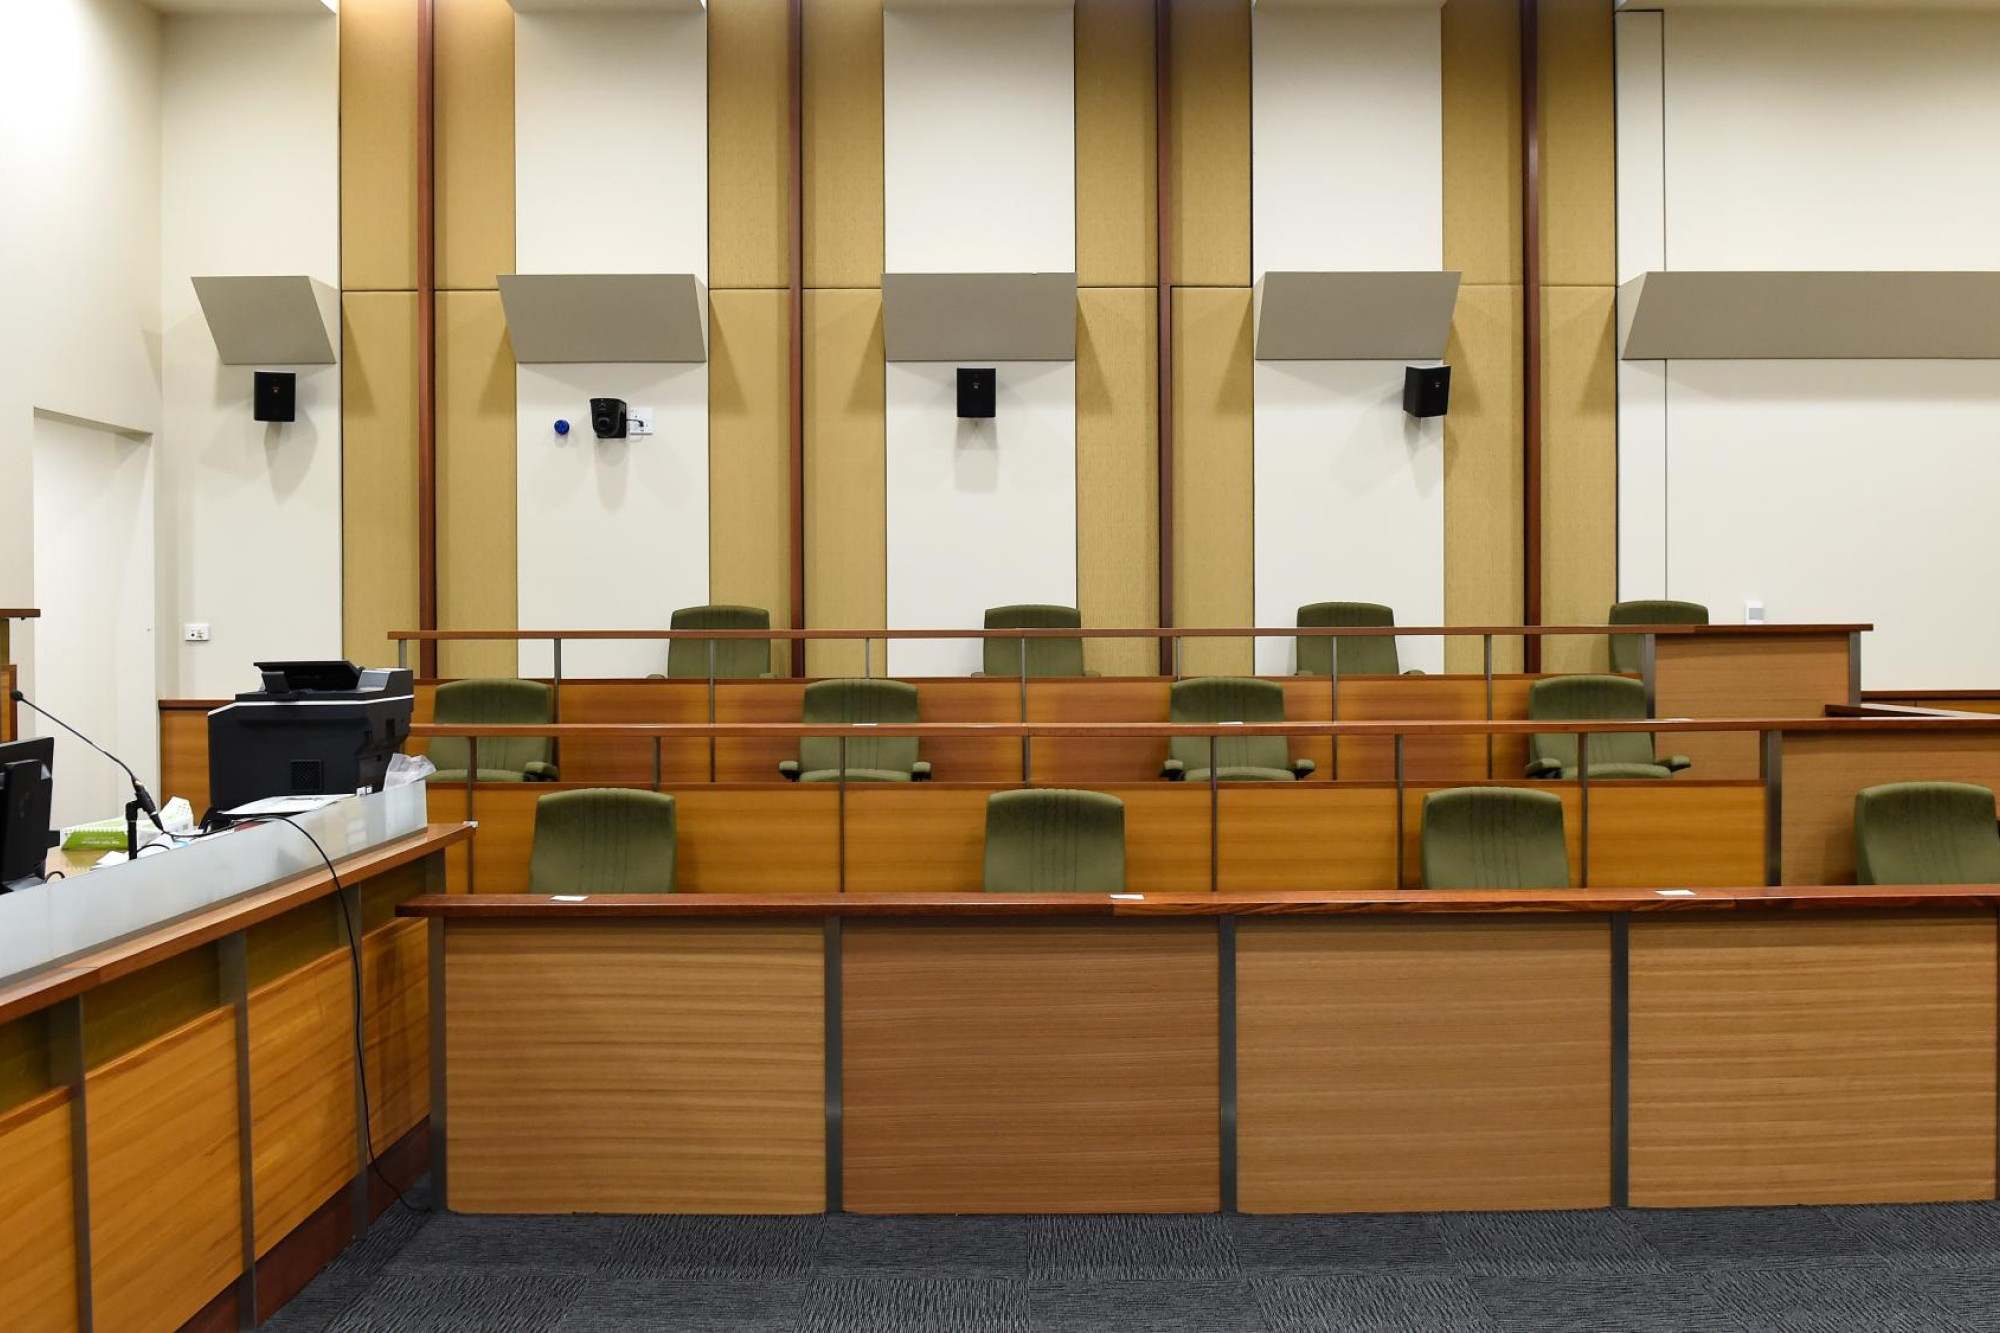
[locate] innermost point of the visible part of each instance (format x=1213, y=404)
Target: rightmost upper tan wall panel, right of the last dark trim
x=1579, y=145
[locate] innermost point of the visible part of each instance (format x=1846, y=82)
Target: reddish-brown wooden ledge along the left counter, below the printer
x=95, y=968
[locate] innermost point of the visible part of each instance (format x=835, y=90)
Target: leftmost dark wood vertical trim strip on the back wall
x=427, y=329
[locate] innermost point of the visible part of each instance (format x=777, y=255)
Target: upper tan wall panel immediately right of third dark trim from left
x=1211, y=143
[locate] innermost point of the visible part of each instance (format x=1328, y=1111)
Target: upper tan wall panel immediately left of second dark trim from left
x=749, y=145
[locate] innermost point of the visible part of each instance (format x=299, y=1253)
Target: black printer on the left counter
x=317, y=730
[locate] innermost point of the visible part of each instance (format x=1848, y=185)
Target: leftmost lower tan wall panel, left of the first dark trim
x=377, y=471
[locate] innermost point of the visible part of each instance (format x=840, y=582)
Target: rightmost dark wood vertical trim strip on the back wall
x=1531, y=243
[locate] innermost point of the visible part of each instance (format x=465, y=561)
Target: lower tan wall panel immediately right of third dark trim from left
x=1213, y=483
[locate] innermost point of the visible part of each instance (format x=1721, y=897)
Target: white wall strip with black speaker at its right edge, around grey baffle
x=1347, y=175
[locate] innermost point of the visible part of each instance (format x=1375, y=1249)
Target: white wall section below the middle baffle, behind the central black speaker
x=983, y=513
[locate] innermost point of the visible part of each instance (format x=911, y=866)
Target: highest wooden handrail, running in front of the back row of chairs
x=1357, y=631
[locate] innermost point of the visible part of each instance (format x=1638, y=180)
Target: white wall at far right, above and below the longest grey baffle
x=1837, y=489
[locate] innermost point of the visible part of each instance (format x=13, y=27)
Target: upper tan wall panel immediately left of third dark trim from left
x=1117, y=153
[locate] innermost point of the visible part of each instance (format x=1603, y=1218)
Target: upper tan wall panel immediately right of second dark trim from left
x=843, y=143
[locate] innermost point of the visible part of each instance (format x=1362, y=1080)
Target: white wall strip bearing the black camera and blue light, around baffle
x=611, y=175
